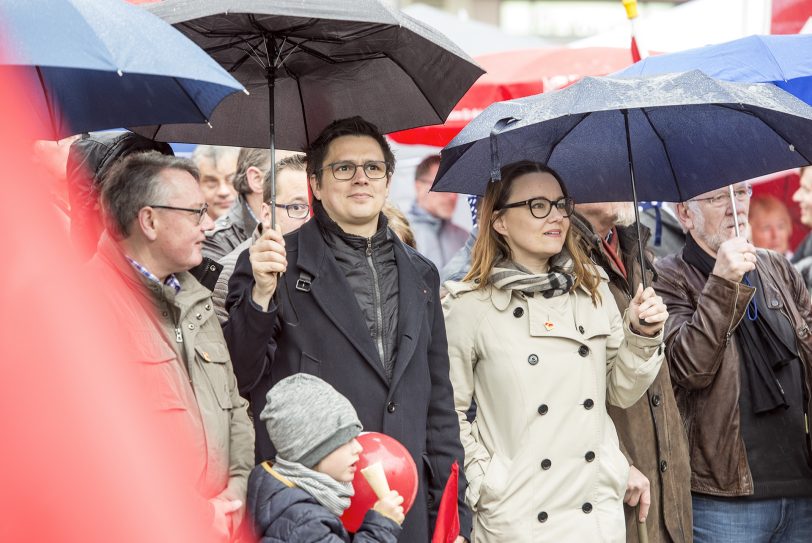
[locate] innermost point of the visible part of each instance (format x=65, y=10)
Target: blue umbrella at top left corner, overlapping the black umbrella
x=96, y=64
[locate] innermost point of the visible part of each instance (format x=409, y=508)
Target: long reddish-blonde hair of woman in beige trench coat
x=490, y=247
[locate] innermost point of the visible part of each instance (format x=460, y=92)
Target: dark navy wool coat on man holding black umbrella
x=320, y=330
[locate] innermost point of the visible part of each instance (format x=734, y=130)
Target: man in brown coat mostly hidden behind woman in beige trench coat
x=650, y=431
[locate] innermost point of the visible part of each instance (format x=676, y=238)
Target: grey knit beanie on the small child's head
x=307, y=419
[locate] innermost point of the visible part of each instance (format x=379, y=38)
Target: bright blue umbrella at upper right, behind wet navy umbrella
x=783, y=60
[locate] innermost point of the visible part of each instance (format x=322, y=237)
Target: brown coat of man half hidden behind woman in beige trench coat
x=651, y=432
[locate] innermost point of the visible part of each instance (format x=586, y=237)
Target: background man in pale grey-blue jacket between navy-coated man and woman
x=430, y=216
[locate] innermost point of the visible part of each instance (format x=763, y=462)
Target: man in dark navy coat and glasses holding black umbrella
x=356, y=307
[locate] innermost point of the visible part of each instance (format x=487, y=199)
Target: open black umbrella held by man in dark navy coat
x=307, y=63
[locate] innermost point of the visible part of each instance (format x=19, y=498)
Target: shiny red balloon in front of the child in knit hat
x=400, y=470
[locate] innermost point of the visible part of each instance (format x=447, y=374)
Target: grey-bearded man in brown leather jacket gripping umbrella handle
x=740, y=355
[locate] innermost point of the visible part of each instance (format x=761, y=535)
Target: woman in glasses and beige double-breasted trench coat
x=536, y=341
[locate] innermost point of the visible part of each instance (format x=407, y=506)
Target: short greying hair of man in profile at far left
x=134, y=183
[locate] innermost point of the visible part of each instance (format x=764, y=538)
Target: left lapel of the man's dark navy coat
x=333, y=294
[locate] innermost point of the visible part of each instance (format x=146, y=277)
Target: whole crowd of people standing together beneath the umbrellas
x=580, y=405
